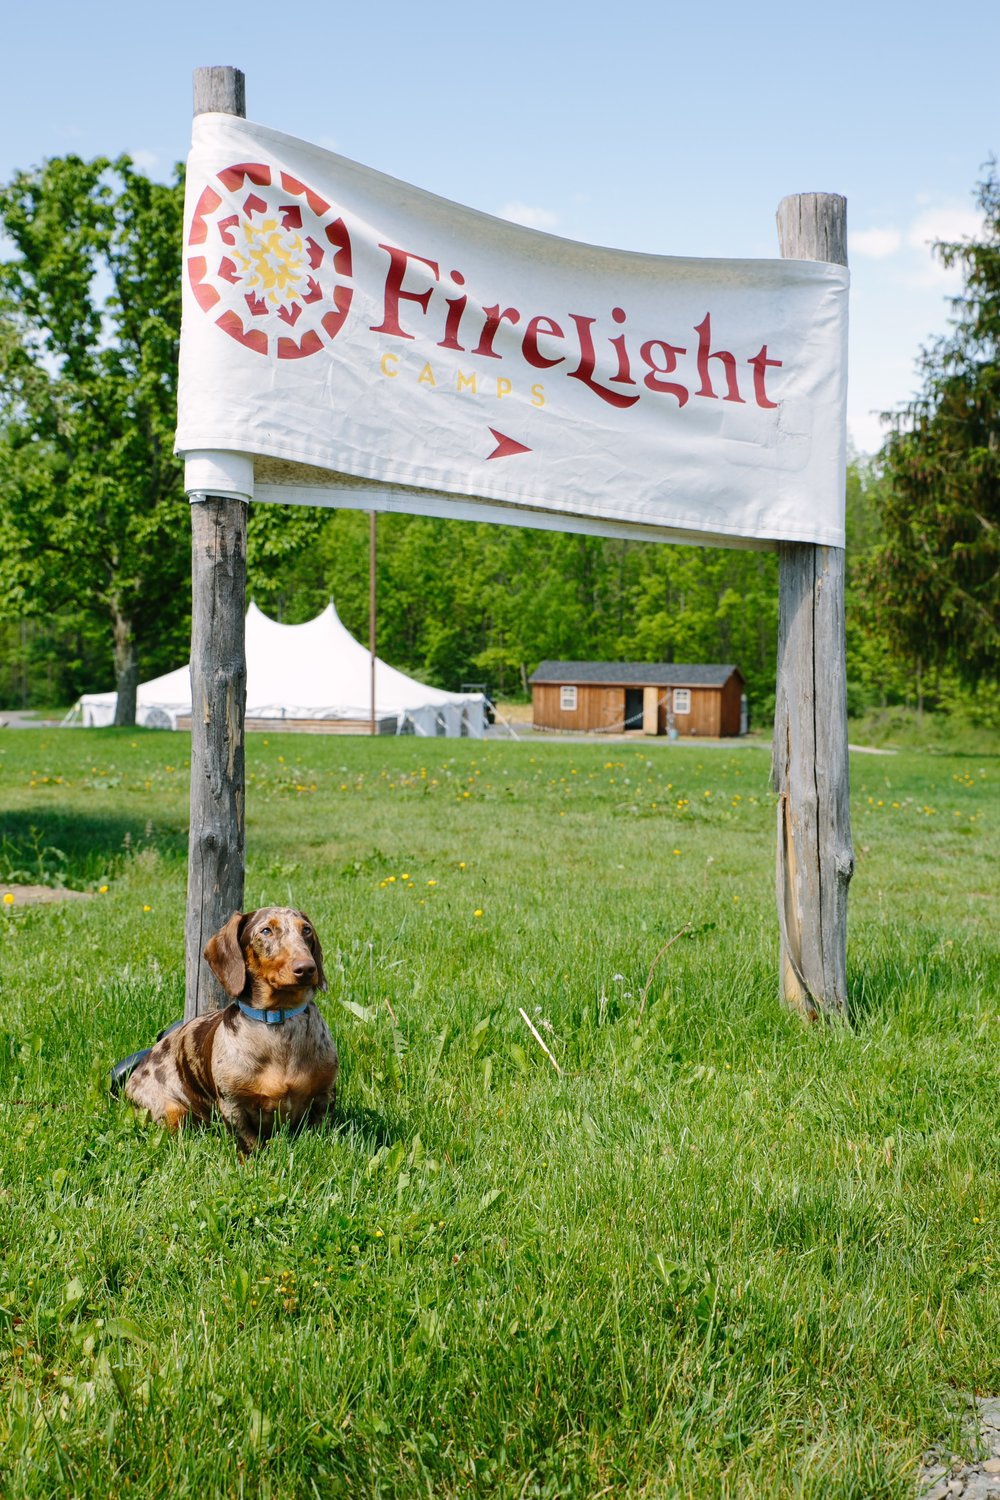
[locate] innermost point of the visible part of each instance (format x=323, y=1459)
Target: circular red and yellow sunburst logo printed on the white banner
x=271, y=260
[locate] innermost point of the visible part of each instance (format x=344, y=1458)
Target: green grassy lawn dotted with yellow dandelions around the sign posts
x=719, y=1255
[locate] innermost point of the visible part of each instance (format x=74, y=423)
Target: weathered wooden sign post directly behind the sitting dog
x=218, y=685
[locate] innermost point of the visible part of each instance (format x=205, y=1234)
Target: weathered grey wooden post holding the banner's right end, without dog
x=810, y=767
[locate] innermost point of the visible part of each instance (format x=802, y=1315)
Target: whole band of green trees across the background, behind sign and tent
x=95, y=551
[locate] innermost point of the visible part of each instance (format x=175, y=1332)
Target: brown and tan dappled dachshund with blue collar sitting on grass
x=266, y=1058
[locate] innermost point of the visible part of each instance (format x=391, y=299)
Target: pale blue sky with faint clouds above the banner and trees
x=651, y=127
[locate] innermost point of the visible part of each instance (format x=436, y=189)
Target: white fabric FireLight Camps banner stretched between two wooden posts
x=353, y=341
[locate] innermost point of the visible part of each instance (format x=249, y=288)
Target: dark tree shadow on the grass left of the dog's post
x=59, y=847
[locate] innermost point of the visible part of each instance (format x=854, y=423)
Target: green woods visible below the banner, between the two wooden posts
x=461, y=602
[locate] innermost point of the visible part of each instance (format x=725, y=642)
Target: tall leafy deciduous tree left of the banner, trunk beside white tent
x=92, y=505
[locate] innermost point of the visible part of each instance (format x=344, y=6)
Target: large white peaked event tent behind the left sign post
x=308, y=673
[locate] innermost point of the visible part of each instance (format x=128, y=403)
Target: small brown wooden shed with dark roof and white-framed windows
x=648, y=697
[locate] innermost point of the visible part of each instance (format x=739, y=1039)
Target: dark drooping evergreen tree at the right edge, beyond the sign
x=936, y=578
